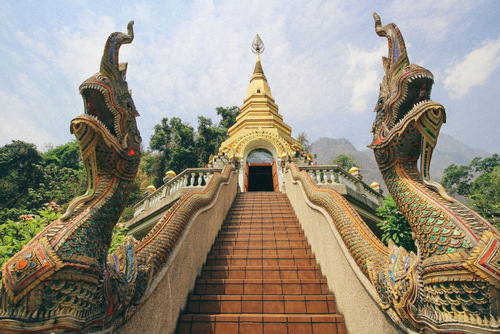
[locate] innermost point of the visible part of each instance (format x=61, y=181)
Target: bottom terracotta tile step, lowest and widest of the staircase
x=261, y=323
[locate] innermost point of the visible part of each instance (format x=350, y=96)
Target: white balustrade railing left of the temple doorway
x=190, y=177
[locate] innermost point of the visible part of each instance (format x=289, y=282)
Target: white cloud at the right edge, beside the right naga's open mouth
x=473, y=70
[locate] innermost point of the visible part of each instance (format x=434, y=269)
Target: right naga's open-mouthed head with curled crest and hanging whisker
x=407, y=124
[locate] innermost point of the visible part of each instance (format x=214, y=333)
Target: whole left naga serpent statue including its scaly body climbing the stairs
x=63, y=280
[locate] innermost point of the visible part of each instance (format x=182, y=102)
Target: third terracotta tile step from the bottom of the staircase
x=261, y=286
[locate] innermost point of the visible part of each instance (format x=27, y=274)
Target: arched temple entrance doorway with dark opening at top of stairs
x=260, y=171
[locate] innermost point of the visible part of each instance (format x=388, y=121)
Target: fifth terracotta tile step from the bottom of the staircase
x=258, y=260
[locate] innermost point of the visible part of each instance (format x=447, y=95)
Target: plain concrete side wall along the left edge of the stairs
x=176, y=280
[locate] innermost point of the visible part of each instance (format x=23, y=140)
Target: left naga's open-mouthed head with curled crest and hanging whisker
x=107, y=133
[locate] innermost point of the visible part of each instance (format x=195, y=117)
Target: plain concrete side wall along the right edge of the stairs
x=355, y=297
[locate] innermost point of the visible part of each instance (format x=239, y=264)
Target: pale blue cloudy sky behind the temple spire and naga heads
x=322, y=61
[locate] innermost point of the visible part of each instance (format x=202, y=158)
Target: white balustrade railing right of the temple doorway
x=331, y=174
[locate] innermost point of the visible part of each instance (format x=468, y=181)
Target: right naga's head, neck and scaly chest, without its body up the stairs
x=452, y=284
